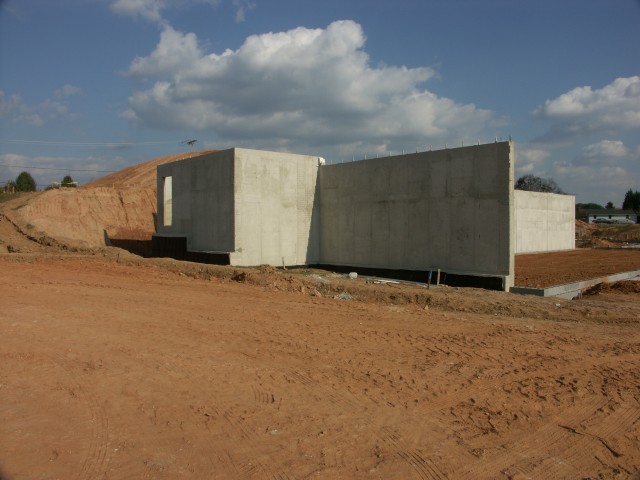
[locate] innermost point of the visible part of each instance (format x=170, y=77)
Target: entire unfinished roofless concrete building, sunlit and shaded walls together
x=453, y=210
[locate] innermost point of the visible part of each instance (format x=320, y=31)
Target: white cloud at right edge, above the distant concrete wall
x=584, y=111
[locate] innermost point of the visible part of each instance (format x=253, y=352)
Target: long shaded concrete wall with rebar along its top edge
x=450, y=209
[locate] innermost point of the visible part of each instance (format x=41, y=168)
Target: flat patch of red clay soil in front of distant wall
x=557, y=268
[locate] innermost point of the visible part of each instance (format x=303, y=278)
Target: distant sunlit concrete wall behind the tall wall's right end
x=544, y=221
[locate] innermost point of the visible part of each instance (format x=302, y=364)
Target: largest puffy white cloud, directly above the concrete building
x=303, y=87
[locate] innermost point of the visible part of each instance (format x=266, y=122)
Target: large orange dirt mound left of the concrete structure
x=109, y=211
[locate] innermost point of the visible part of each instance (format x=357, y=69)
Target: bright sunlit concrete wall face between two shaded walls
x=275, y=218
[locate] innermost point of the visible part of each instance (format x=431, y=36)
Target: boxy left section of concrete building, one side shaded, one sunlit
x=240, y=207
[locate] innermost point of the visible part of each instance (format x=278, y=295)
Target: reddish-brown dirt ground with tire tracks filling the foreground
x=113, y=367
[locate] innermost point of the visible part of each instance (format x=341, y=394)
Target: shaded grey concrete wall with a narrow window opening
x=202, y=203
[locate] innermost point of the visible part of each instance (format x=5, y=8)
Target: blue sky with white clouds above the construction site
x=92, y=86
